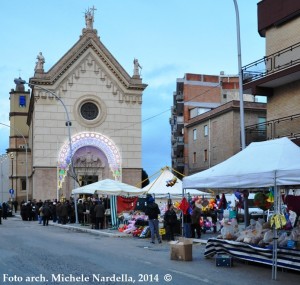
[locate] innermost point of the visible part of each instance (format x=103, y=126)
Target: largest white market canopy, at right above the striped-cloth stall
x=261, y=164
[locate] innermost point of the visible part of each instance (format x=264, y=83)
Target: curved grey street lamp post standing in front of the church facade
x=68, y=125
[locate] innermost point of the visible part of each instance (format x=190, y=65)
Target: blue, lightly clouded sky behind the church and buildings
x=168, y=37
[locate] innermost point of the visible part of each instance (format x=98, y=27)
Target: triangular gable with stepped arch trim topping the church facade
x=99, y=58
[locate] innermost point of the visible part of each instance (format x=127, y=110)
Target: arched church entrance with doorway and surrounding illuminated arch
x=95, y=157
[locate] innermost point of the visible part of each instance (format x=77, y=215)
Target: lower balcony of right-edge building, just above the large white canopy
x=282, y=127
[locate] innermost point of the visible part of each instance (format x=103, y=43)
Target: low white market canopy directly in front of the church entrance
x=109, y=187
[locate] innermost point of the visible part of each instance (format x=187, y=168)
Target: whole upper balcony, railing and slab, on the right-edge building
x=275, y=70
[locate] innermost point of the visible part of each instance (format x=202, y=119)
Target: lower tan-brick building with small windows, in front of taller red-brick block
x=214, y=136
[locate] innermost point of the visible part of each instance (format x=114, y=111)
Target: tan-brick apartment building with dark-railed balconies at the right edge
x=276, y=75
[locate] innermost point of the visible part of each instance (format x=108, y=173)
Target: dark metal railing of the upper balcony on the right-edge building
x=273, y=63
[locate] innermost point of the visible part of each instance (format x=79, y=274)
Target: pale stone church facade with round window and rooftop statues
x=83, y=120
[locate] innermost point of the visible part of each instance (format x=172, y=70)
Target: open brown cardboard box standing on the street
x=181, y=249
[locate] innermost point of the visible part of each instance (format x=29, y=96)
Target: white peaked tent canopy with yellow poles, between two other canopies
x=159, y=187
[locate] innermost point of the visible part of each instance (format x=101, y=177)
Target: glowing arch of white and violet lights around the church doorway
x=89, y=139
